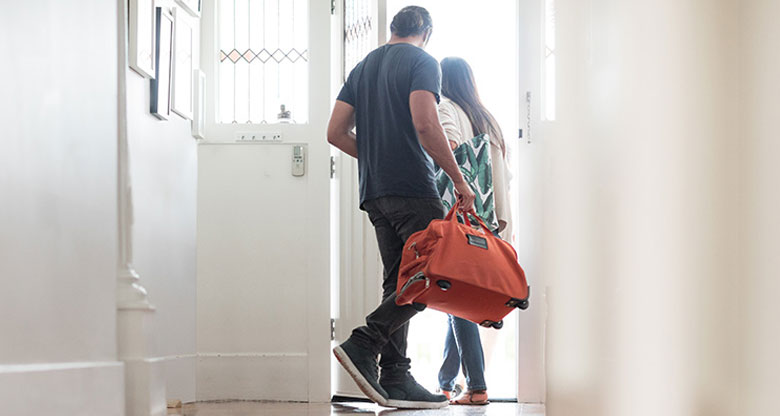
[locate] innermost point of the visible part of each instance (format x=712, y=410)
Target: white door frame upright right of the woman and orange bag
x=531, y=383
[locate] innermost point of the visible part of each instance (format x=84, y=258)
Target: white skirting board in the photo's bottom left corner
x=63, y=389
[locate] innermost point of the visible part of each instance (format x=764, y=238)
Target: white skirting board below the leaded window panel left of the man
x=280, y=377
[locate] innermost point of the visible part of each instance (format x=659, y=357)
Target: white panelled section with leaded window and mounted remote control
x=264, y=201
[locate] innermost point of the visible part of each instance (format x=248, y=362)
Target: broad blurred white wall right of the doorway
x=640, y=214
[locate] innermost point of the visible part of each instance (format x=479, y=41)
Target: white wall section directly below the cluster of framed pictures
x=163, y=169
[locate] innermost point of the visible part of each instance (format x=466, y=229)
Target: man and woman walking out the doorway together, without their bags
x=391, y=97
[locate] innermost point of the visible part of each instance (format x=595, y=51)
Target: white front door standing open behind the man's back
x=357, y=272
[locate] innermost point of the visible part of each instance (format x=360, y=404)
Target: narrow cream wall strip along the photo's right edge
x=760, y=336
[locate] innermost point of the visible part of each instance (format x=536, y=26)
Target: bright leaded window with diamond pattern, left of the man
x=263, y=61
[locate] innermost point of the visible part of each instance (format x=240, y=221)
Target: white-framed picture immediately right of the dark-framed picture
x=183, y=44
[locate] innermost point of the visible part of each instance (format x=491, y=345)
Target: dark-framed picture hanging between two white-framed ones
x=161, y=84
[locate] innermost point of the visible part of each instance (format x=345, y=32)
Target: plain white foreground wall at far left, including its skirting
x=58, y=215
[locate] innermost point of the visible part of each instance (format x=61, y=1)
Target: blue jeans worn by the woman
x=462, y=347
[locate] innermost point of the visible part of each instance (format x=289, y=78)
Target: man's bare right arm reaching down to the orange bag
x=425, y=117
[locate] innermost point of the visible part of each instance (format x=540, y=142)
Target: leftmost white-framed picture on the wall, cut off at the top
x=141, y=37
